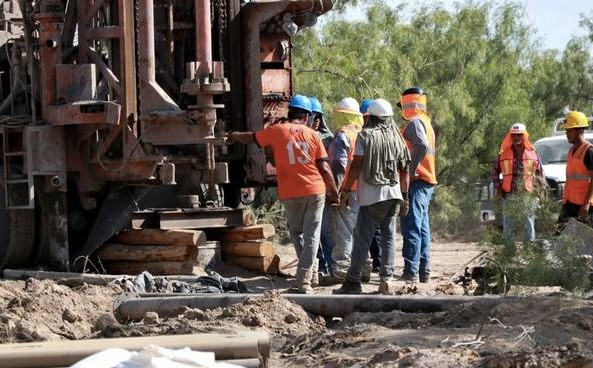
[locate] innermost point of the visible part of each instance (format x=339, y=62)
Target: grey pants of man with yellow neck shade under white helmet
x=343, y=222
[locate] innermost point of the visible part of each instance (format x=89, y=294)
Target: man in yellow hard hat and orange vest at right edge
x=578, y=191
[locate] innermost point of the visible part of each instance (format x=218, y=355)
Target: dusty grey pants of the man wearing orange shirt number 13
x=303, y=216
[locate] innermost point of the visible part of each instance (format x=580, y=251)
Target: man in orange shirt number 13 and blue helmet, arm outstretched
x=303, y=175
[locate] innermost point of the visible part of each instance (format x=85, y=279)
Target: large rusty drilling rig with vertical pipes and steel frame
x=111, y=107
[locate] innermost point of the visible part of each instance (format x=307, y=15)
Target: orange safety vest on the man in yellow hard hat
x=577, y=176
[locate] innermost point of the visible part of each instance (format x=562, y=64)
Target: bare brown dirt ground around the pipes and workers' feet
x=542, y=328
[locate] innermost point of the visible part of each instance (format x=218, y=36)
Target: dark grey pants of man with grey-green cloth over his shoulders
x=383, y=214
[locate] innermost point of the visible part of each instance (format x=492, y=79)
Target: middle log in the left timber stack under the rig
x=145, y=253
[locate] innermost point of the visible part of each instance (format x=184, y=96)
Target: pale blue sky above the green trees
x=556, y=21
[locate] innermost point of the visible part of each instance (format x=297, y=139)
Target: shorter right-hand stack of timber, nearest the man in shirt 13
x=248, y=247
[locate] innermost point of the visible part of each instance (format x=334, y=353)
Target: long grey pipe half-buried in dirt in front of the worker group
x=133, y=307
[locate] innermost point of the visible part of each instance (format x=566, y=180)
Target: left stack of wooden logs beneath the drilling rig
x=160, y=252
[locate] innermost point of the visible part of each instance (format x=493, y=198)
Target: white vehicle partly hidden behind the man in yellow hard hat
x=552, y=152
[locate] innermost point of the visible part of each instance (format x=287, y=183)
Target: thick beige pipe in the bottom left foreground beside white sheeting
x=246, y=346
